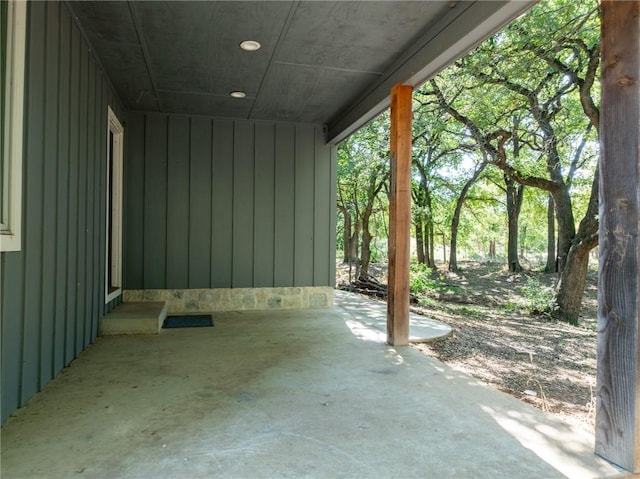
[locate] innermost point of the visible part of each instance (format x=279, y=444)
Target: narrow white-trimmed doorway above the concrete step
x=114, y=126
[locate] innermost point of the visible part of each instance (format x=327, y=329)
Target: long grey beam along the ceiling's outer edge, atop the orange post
x=436, y=49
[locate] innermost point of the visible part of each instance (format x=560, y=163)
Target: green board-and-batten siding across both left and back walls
x=209, y=203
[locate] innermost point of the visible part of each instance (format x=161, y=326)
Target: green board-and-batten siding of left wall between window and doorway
x=53, y=289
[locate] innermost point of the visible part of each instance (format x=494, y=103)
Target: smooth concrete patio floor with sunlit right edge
x=312, y=393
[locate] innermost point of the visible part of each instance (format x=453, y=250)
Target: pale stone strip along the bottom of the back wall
x=236, y=299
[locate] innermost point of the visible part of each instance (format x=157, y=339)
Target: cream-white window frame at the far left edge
x=11, y=219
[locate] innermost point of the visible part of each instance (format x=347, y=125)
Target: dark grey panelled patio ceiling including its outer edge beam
x=321, y=62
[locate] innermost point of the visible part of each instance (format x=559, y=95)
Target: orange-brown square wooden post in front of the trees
x=399, y=217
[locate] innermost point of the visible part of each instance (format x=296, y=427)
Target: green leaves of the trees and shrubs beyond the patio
x=546, y=54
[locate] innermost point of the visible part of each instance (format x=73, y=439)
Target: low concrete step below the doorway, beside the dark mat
x=134, y=318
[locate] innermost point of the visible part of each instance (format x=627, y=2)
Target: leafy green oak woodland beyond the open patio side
x=505, y=163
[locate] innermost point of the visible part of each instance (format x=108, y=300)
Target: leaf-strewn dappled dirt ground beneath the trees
x=549, y=364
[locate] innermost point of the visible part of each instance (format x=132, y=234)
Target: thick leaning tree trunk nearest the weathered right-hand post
x=573, y=276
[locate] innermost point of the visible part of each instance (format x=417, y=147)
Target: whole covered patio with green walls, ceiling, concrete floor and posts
x=148, y=156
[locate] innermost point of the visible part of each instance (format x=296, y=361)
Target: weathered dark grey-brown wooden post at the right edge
x=618, y=377
